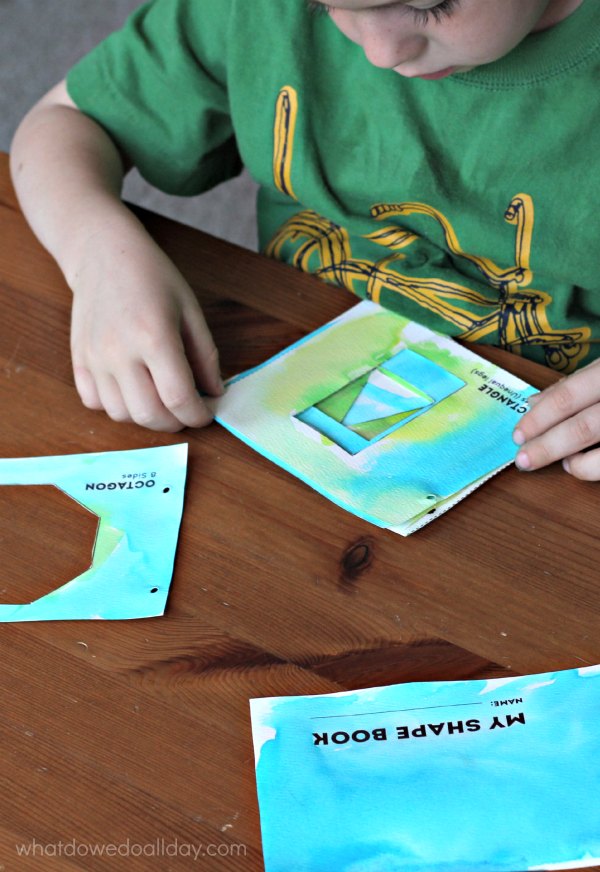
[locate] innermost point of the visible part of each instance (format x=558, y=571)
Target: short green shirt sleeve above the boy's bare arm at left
x=158, y=87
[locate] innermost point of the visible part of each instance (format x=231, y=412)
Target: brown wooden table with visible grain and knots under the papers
x=127, y=733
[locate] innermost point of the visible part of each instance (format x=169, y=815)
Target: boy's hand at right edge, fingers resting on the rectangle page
x=563, y=422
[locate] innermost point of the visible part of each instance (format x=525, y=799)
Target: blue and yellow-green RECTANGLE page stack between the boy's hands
x=388, y=419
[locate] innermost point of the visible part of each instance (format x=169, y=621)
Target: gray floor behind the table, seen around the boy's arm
x=39, y=41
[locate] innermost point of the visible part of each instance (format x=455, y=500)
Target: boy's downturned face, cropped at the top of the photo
x=432, y=39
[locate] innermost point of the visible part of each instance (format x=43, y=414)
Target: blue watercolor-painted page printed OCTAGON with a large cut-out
x=138, y=498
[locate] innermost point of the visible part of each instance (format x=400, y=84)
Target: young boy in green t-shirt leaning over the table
x=437, y=157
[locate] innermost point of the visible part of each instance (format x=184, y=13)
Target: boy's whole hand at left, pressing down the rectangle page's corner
x=139, y=342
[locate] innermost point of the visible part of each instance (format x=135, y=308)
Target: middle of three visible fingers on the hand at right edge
x=565, y=439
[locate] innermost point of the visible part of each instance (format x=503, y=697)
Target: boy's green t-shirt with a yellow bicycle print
x=469, y=203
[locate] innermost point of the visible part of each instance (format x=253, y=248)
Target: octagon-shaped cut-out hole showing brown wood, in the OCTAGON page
x=46, y=539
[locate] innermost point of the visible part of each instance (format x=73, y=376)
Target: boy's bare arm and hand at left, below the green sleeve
x=139, y=342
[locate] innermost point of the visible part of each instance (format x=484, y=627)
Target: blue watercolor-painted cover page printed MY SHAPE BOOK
x=497, y=775
